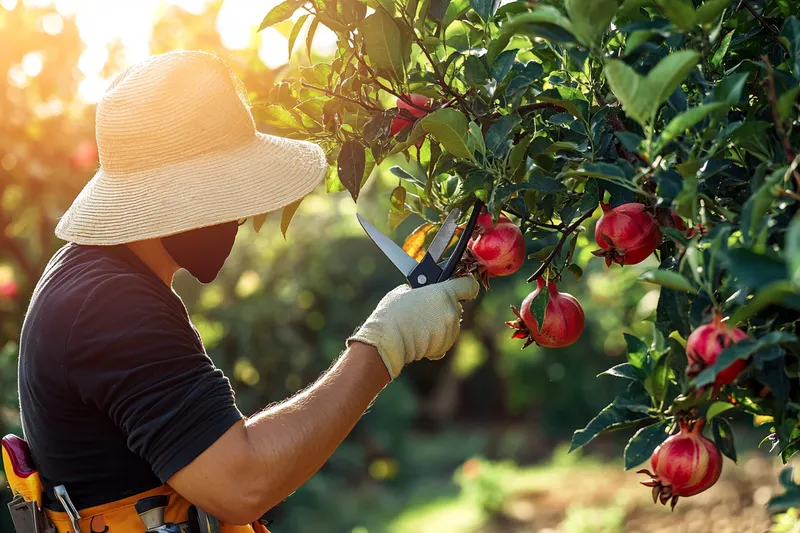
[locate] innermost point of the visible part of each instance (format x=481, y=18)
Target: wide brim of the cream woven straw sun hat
x=259, y=176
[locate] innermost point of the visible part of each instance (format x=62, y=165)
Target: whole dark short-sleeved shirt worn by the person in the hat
x=116, y=391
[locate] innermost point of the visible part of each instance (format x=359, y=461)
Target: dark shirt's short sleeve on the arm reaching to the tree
x=134, y=354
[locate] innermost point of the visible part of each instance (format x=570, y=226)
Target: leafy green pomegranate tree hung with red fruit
x=677, y=118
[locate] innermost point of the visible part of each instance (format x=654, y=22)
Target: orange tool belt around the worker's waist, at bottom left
x=119, y=516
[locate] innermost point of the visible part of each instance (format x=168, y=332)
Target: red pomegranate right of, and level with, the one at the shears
x=626, y=234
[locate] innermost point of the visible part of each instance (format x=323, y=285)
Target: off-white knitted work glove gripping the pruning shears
x=411, y=324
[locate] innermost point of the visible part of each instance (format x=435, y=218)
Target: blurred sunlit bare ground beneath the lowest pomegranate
x=606, y=500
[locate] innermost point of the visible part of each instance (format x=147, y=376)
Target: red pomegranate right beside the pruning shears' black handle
x=494, y=249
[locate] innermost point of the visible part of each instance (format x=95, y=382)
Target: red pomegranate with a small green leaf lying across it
x=563, y=319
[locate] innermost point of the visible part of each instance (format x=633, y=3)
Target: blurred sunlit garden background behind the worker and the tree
x=476, y=442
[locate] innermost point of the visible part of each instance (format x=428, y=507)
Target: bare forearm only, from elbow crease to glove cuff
x=293, y=439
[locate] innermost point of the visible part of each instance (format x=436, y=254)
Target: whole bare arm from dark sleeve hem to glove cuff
x=258, y=463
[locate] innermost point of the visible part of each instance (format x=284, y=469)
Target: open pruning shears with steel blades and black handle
x=430, y=270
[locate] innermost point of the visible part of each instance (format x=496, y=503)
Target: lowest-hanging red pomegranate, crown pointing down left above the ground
x=683, y=465
